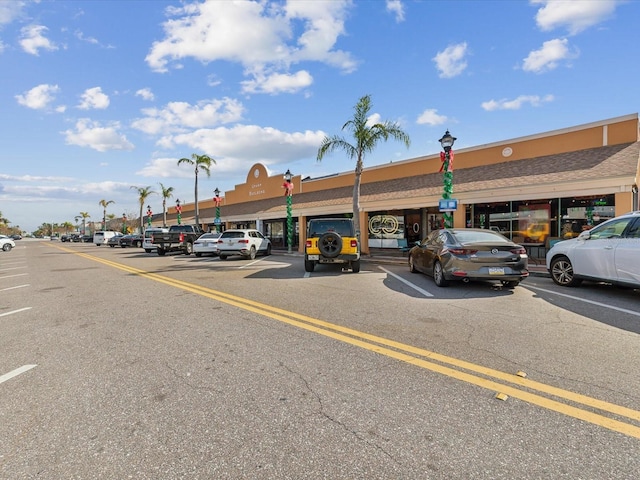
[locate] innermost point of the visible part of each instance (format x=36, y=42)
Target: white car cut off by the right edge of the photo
x=609, y=252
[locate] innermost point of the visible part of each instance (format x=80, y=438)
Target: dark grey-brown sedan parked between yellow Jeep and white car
x=466, y=254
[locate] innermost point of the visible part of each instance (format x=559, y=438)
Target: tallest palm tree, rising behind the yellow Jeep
x=366, y=137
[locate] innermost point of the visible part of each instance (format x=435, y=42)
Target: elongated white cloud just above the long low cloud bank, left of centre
x=176, y=116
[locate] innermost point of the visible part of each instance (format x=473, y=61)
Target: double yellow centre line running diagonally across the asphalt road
x=412, y=355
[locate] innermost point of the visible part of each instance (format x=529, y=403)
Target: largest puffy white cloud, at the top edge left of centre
x=258, y=35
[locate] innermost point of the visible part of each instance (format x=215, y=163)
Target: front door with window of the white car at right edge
x=595, y=256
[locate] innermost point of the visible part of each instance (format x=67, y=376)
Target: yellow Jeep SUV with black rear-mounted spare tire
x=332, y=240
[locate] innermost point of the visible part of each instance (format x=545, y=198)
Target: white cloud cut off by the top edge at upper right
x=575, y=15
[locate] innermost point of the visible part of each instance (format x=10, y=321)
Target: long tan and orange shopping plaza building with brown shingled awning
x=534, y=189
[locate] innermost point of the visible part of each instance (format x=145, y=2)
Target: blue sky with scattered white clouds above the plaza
x=99, y=96
